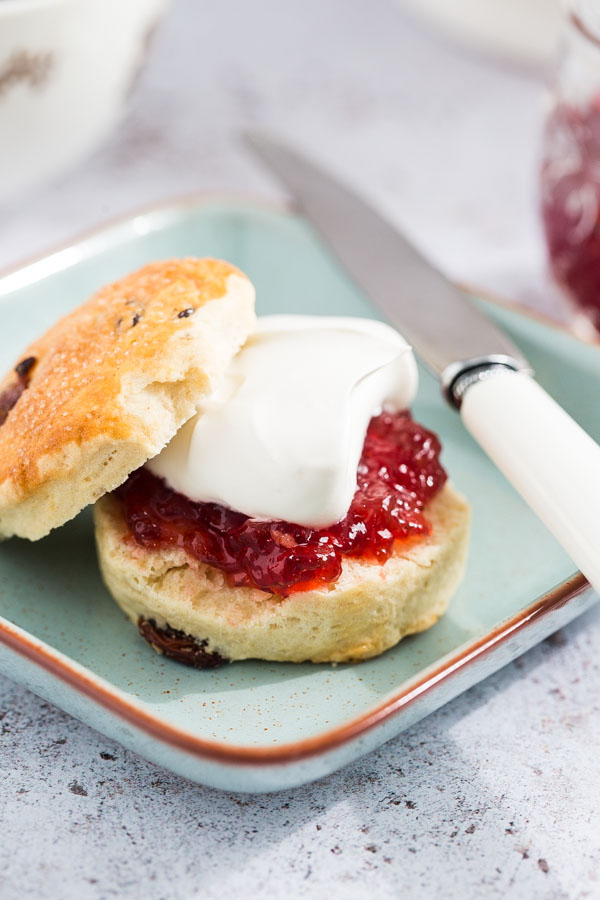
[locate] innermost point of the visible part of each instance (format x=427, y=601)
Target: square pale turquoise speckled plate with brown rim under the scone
x=257, y=726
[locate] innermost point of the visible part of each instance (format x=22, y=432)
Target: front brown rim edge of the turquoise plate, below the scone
x=218, y=751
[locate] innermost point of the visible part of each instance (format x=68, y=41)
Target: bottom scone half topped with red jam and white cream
x=301, y=515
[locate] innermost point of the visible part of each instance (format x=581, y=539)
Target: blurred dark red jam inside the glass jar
x=571, y=202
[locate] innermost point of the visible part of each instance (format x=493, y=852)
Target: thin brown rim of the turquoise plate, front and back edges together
x=108, y=696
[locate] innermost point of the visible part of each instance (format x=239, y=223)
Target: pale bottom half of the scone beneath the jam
x=368, y=610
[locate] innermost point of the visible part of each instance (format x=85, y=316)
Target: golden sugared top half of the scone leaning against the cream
x=109, y=385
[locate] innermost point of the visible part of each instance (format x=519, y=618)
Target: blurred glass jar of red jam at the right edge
x=570, y=173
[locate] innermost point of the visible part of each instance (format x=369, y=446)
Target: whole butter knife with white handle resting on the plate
x=541, y=450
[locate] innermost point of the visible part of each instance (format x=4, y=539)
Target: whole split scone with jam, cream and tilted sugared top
x=262, y=489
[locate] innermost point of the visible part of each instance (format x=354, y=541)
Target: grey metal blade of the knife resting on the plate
x=437, y=318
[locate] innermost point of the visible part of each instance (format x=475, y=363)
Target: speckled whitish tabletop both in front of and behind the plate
x=495, y=795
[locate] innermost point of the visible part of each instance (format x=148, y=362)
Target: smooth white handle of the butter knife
x=547, y=457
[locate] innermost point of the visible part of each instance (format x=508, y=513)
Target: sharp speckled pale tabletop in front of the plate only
x=496, y=795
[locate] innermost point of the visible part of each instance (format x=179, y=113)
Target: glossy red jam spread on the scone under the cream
x=398, y=473
